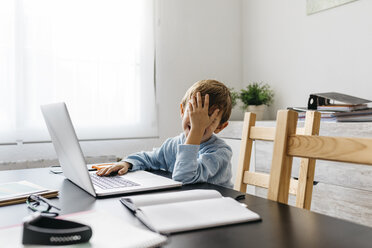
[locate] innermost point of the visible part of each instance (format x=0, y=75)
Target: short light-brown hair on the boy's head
x=219, y=96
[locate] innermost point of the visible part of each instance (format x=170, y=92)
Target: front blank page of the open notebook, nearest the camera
x=190, y=215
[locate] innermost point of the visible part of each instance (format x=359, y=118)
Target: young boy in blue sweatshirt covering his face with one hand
x=196, y=155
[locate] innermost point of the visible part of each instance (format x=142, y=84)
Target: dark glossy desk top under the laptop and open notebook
x=281, y=225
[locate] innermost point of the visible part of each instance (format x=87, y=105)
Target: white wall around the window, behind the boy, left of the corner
x=195, y=40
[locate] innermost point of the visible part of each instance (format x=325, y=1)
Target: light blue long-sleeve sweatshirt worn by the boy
x=208, y=162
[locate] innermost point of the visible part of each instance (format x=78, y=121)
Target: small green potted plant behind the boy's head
x=256, y=97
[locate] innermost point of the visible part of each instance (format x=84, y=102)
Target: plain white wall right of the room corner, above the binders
x=299, y=54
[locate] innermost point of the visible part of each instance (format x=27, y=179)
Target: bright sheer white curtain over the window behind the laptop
x=95, y=55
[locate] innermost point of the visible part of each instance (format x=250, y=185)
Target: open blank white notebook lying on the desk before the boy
x=187, y=210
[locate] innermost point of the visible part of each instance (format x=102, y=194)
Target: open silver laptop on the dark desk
x=75, y=169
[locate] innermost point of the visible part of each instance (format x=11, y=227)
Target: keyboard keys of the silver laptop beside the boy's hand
x=111, y=182
